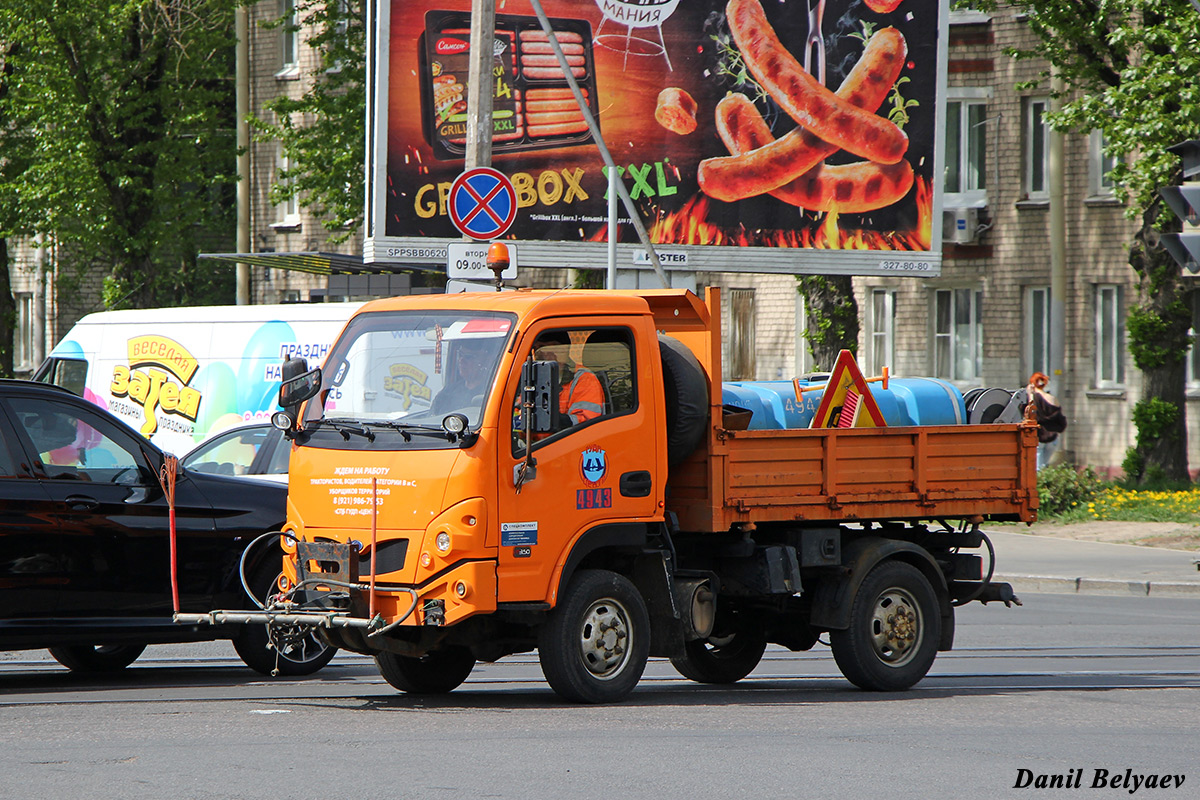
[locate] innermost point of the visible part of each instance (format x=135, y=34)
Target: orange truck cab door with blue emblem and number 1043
x=599, y=467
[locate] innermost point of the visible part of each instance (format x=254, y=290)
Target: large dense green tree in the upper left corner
x=118, y=140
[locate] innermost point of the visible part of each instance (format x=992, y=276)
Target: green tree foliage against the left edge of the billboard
x=323, y=133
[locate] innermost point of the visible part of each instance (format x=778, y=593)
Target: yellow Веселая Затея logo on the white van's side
x=147, y=381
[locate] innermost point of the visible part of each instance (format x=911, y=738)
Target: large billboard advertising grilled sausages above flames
x=752, y=135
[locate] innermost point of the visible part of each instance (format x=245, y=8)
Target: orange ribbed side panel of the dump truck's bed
x=859, y=474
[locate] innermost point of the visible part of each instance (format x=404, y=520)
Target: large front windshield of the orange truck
x=415, y=368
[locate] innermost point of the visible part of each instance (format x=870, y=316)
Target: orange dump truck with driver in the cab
x=478, y=476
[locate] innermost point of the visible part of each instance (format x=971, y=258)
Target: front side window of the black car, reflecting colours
x=69, y=447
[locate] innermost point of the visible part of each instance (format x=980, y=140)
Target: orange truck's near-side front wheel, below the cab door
x=595, y=646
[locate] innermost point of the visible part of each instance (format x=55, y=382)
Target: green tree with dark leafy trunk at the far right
x=1130, y=70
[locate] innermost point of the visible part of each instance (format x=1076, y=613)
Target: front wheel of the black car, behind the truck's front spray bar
x=293, y=651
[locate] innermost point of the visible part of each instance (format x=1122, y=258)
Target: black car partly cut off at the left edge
x=86, y=546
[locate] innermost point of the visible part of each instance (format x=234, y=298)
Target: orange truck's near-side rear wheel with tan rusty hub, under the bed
x=895, y=630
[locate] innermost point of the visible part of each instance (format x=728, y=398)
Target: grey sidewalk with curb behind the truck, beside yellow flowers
x=1064, y=563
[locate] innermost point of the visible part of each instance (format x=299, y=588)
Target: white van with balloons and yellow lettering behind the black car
x=183, y=375
